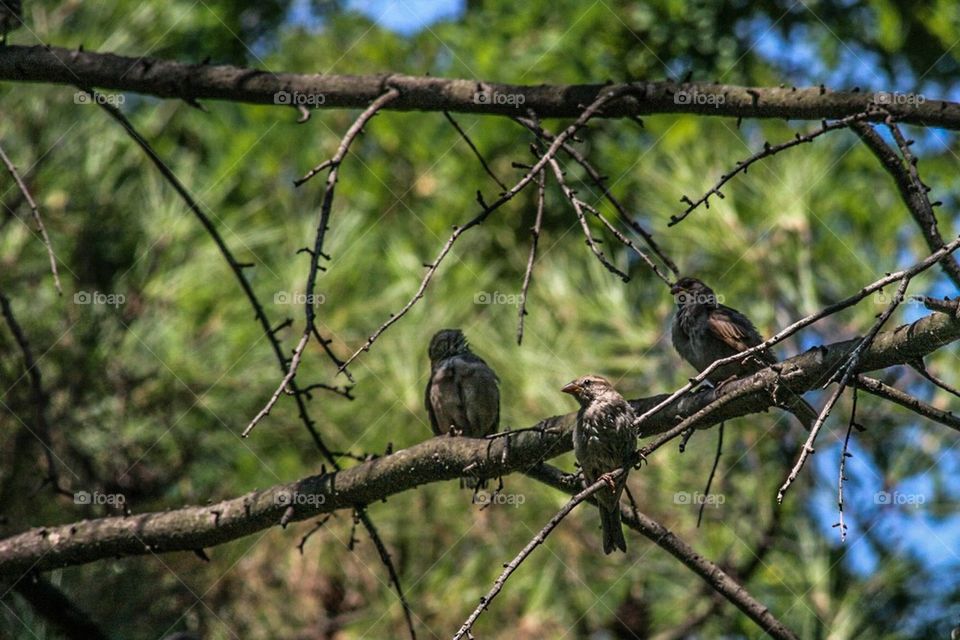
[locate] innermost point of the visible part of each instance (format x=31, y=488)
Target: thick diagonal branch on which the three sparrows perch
x=437, y=459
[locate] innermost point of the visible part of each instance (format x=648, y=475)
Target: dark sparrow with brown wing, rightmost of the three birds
x=705, y=331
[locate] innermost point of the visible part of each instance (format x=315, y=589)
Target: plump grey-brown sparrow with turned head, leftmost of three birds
x=463, y=393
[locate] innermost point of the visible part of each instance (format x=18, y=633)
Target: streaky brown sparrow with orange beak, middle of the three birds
x=604, y=440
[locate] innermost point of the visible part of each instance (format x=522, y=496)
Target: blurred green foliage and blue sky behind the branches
x=147, y=398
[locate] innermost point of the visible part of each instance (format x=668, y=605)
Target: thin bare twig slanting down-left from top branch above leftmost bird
x=588, y=113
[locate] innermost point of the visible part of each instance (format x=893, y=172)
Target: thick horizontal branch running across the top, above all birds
x=192, y=82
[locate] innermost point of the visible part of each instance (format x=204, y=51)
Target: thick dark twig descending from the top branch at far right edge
x=912, y=190
